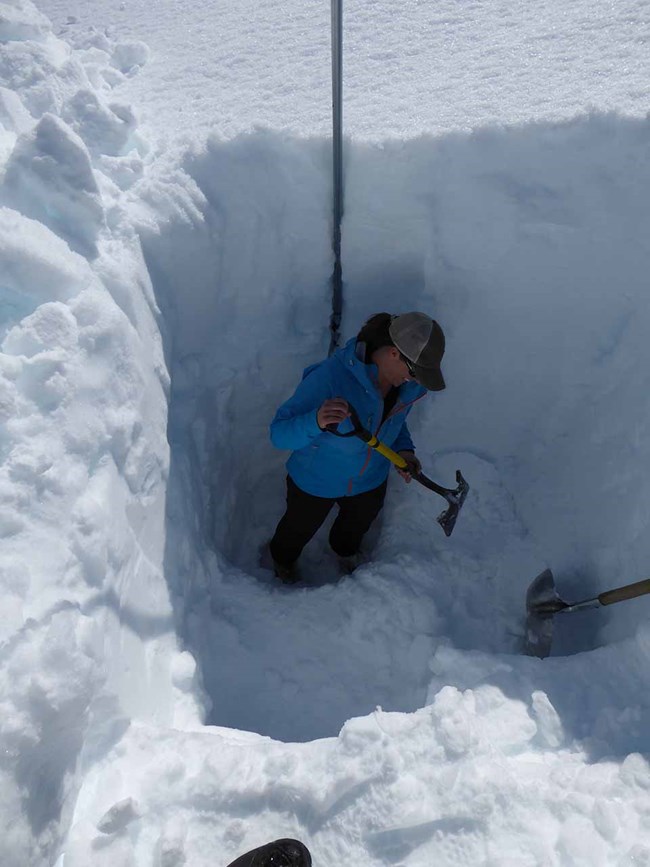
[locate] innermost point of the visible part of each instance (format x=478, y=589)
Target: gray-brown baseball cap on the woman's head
x=420, y=339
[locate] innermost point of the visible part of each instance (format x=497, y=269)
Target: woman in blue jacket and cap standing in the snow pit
x=391, y=363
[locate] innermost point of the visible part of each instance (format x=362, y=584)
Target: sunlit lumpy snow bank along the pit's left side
x=86, y=626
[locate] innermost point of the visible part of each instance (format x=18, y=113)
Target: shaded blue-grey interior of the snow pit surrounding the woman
x=530, y=246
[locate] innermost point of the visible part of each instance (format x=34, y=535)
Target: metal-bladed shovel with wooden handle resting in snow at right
x=543, y=602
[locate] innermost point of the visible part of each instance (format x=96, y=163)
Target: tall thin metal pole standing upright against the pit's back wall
x=337, y=165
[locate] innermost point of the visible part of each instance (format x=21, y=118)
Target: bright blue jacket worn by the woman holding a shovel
x=326, y=465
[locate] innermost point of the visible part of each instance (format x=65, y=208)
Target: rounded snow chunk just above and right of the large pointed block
x=105, y=129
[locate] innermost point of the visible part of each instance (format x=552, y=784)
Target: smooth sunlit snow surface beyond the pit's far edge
x=409, y=67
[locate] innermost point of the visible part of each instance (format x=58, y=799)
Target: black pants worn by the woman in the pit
x=305, y=514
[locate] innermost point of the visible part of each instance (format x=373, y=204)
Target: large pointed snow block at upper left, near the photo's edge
x=50, y=178
